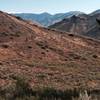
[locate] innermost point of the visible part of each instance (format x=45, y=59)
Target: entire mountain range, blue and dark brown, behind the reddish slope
x=74, y=21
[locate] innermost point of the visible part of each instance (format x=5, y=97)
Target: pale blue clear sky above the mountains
x=51, y=6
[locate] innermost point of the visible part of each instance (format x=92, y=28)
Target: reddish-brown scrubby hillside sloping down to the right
x=46, y=58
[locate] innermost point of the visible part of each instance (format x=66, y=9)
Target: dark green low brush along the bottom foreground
x=22, y=91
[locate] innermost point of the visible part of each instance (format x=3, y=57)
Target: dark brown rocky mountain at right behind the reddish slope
x=82, y=24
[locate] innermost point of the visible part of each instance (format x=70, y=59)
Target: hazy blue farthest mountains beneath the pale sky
x=46, y=19
